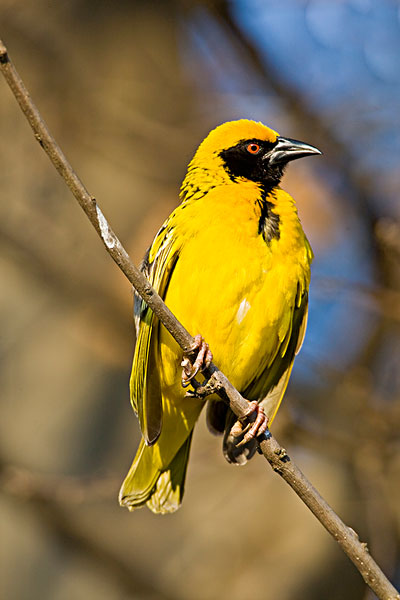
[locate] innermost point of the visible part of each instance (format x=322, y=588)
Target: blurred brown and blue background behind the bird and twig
x=129, y=89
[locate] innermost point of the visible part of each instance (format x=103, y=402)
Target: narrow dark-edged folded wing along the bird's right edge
x=270, y=385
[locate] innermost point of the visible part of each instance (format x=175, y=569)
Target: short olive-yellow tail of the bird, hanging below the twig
x=161, y=490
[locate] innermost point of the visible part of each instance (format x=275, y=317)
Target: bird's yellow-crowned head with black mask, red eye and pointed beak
x=246, y=150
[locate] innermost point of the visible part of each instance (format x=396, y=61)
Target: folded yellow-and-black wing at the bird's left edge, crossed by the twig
x=145, y=390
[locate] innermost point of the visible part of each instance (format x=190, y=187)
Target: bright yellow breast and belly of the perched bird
x=230, y=285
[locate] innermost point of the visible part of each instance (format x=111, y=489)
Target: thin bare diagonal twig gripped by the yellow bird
x=270, y=448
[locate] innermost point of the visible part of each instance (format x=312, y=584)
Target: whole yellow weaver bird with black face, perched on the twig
x=231, y=262
